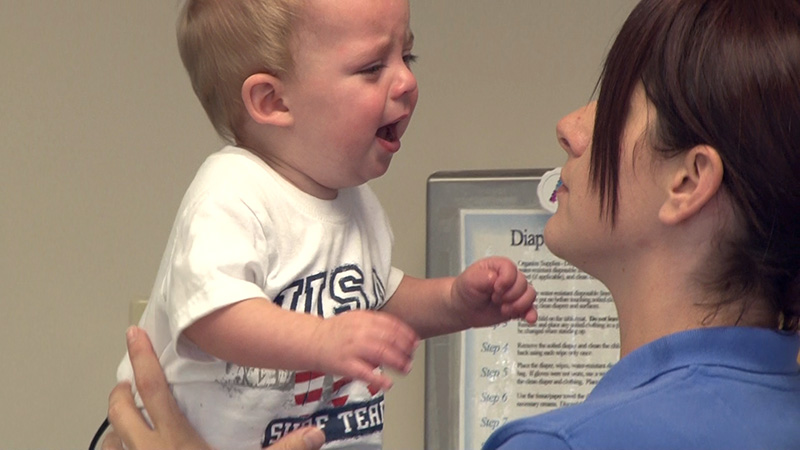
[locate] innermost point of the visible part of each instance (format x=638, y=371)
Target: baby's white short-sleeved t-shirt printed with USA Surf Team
x=242, y=231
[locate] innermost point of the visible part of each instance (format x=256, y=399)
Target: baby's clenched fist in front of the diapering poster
x=493, y=290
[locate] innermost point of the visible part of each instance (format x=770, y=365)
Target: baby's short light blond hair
x=222, y=42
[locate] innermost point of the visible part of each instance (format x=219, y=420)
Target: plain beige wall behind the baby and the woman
x=101, y=135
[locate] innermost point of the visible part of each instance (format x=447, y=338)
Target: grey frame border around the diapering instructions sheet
x=448, y=194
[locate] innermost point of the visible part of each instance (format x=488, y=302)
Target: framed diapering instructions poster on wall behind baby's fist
x=480, y=379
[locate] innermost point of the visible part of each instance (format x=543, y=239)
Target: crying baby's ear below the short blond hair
x=263, y=98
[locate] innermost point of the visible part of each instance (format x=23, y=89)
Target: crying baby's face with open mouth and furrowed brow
x=352, y=94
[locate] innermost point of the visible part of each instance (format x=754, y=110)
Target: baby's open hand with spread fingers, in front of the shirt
x=355, y=343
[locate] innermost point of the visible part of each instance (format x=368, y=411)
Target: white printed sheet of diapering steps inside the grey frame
x=515, y=370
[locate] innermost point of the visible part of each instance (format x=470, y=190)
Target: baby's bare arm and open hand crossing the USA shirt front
x=258, y=333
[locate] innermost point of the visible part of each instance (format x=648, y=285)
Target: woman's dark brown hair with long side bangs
x=723, y=73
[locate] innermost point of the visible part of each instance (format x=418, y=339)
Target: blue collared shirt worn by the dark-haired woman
x=728, y=388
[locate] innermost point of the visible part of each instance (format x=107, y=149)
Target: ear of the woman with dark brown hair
x=695, y=181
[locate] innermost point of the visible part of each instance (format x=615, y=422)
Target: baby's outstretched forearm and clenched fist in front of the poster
x=490, y=291
